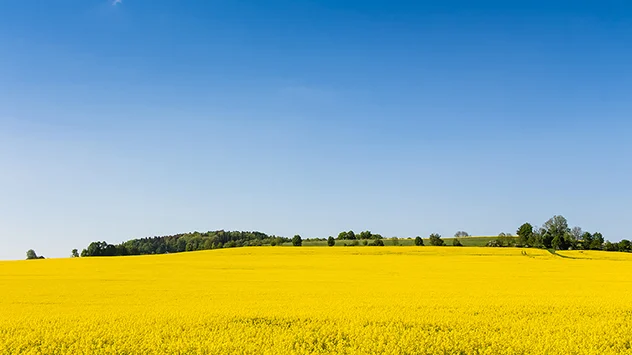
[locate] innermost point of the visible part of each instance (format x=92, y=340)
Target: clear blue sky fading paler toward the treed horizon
x=137, y=118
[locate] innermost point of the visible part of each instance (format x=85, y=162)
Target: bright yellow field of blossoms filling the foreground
x=296, y=300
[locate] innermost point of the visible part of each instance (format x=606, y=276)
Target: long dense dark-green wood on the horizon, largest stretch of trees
x=182, y=242
